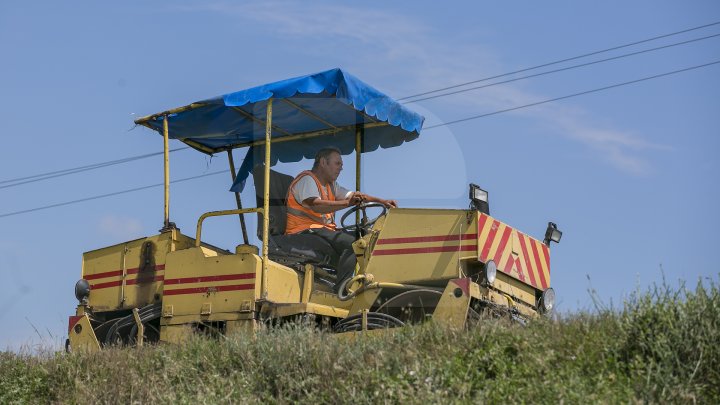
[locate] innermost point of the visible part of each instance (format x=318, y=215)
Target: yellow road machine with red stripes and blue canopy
x=450, y=266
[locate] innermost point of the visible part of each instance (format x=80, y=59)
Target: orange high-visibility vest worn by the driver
x=299, y=217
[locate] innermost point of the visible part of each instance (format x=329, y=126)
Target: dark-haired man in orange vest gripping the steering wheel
x=313, y=198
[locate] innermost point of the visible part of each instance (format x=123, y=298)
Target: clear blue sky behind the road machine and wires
x=629, y=174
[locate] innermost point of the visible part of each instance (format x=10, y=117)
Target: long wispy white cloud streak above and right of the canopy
x=429, y=63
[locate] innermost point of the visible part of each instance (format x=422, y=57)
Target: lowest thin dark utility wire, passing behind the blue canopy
x=427, y=128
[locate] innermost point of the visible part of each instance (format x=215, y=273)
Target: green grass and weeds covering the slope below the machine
x=661, y=347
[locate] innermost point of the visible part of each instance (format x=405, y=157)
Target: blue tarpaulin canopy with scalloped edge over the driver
x=331, y=103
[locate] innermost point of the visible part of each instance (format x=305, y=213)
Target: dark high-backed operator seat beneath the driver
x=291, y=249
